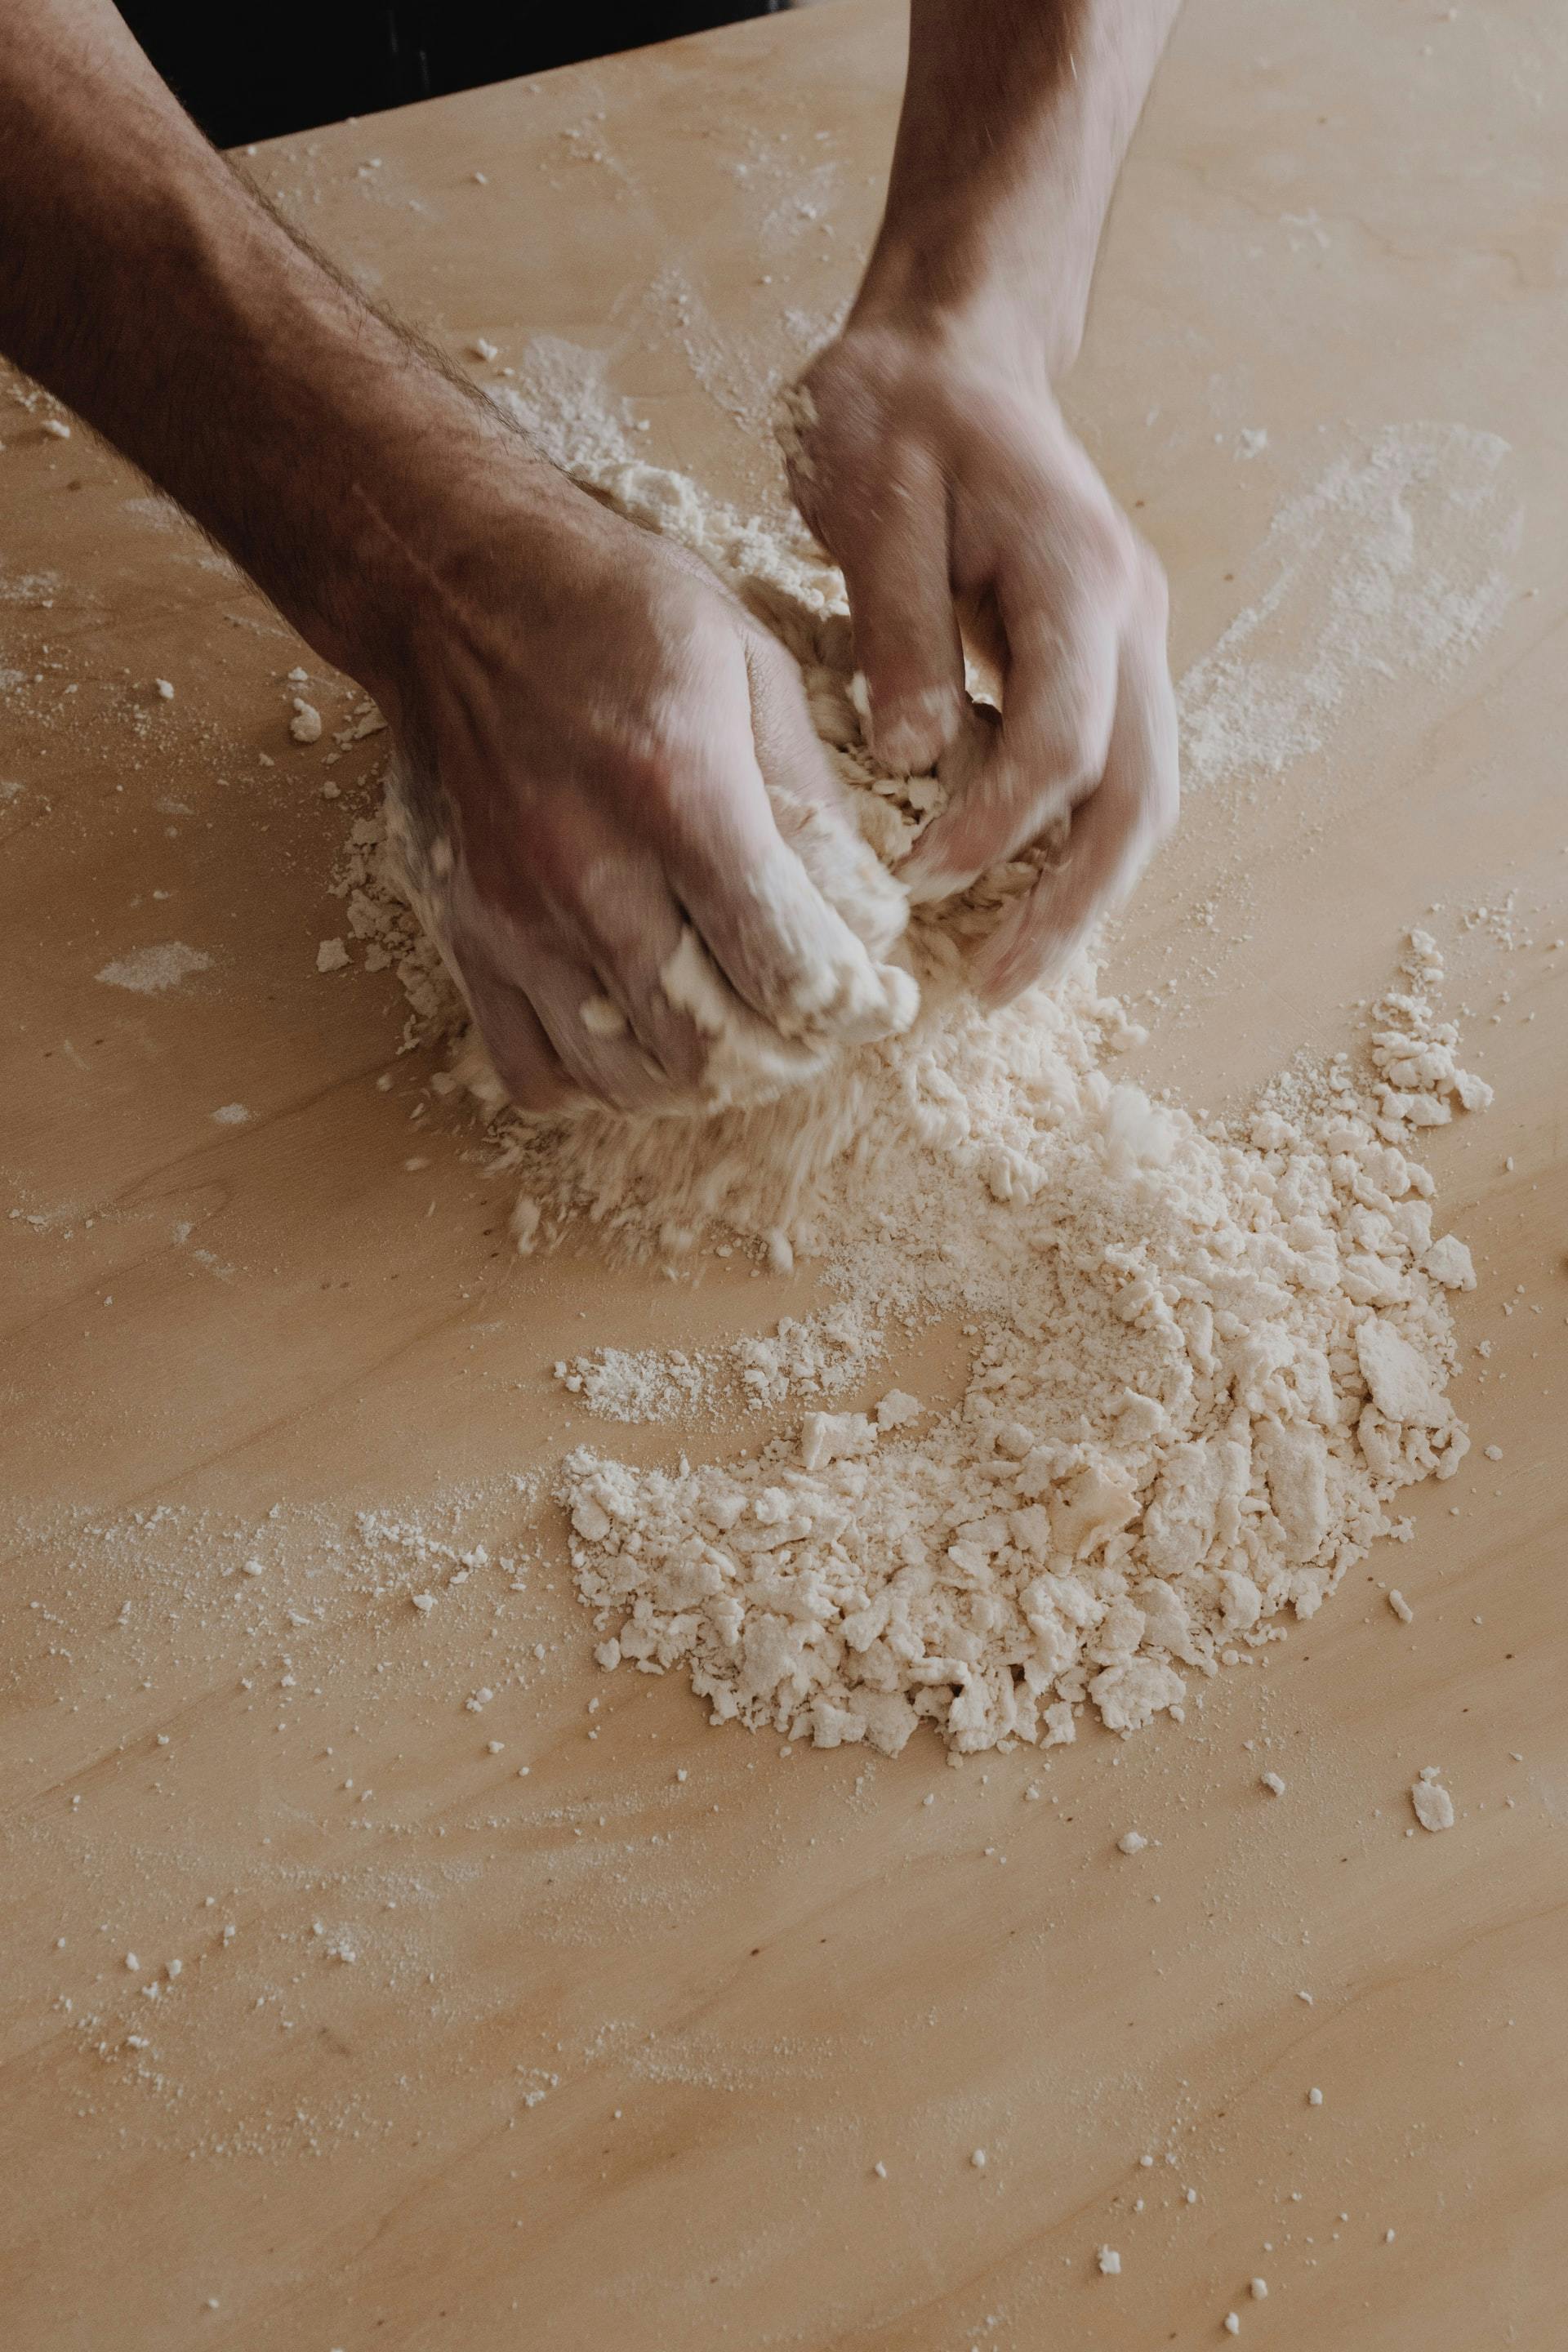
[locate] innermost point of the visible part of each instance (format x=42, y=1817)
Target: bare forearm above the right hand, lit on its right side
x=1014, y=126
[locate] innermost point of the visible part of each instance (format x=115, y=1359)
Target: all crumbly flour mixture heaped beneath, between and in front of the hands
x=1205, y=1361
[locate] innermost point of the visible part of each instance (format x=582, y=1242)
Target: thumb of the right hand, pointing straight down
x=899, y=575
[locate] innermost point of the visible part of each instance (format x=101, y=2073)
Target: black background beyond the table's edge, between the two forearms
x=288, y=67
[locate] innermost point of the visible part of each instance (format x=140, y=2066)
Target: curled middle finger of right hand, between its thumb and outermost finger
x=1057, y=723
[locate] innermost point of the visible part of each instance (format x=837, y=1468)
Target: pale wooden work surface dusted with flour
x=617, y=2054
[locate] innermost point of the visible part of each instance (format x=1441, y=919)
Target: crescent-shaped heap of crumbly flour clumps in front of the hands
x=1209, y=1363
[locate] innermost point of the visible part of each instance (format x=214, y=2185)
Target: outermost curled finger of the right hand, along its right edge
x=1111, y=841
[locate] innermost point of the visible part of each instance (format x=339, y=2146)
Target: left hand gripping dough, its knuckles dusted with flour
x=624, y=827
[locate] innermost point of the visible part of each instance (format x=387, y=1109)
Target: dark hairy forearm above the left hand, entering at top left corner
x=166, y=305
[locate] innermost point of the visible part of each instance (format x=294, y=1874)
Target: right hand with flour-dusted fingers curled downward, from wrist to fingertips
x=956, y=500
